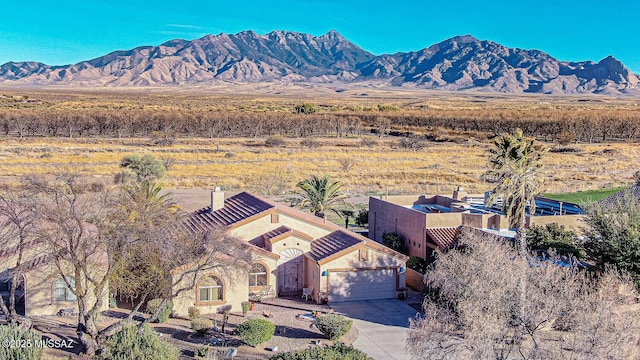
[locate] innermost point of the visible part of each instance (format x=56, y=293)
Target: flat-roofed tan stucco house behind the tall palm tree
x=430, y=223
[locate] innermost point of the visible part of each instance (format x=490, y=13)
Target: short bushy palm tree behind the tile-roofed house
x=321, y=194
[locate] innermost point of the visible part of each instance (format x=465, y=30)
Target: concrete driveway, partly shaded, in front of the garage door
x=382, y=326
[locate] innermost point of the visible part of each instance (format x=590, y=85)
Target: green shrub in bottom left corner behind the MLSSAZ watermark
x=20, y=336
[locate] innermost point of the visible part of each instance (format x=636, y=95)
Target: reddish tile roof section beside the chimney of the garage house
x=236, y=208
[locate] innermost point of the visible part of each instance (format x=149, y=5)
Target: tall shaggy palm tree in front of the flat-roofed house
x=515, y=165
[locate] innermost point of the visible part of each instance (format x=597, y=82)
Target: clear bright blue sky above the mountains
x=67, y=32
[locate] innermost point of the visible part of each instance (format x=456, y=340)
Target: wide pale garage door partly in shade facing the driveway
x=362, y=285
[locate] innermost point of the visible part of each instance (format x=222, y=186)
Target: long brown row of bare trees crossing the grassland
x=563, y=125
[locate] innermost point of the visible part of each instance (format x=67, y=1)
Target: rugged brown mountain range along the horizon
x=459, y=63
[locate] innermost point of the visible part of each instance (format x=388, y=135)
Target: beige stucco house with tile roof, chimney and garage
x=292, y=250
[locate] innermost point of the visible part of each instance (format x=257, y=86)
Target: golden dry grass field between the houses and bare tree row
x=247, y=164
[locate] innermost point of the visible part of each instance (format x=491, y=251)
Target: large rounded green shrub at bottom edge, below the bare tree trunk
x=131, y=344
